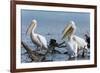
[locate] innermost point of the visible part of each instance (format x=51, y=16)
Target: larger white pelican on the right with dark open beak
x=73, y=42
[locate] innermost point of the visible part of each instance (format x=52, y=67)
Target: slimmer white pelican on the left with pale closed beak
x=39, y=40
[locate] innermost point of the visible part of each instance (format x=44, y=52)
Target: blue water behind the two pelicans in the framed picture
x=52, y=23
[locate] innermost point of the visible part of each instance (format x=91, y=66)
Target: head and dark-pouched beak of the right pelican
x=69, y=29
